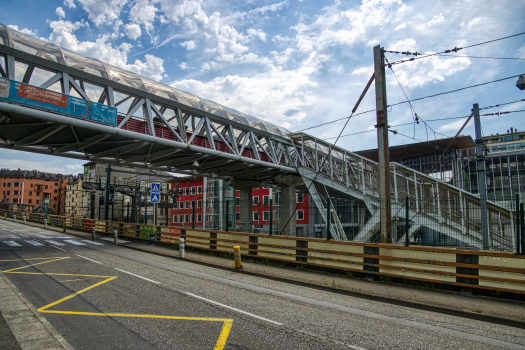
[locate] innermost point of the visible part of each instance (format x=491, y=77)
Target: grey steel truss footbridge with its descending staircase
x=163, y=128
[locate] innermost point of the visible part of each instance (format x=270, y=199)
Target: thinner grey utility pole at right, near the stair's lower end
x=482, y=179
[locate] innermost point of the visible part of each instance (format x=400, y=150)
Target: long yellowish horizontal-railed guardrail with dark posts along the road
x=464, y=269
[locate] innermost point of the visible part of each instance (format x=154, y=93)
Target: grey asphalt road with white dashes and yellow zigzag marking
x=108, y=297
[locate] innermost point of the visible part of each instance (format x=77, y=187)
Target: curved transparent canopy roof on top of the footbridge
x=55, y=53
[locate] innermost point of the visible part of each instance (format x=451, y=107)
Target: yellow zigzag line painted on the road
x=219, y=345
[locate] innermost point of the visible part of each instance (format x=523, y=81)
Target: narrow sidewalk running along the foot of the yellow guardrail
x=488, y=309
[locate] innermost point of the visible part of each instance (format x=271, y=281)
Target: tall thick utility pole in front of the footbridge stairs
x=383, y=146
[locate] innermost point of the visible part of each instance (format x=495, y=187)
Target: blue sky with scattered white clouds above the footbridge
x=299, y=63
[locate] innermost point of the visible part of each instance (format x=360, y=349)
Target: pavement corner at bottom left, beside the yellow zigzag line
x=22, y=326
